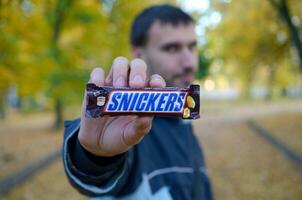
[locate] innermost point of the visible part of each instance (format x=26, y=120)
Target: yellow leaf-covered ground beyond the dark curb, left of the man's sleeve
x=25, y=140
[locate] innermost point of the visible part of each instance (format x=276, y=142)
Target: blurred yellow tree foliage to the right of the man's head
x=251, y=44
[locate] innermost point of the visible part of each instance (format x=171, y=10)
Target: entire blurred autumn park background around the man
x=250, y=72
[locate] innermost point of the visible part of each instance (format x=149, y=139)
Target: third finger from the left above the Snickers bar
x=137, y=78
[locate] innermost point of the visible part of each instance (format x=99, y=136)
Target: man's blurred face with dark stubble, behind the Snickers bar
x=171, y=52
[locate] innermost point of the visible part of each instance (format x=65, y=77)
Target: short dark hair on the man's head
x=163, y=13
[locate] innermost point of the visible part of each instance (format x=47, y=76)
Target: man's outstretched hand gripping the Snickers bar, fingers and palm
x=109, y=136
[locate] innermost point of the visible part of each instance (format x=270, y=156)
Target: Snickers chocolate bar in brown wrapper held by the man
x=169, y=101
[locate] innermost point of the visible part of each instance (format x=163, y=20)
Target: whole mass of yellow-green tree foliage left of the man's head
x=49, y=47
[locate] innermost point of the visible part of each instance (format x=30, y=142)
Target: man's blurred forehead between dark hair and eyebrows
x=166, y=32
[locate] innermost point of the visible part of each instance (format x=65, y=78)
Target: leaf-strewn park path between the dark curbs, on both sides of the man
x=241, y=164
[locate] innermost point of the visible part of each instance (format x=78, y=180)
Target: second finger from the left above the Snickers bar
x=120, y=69
